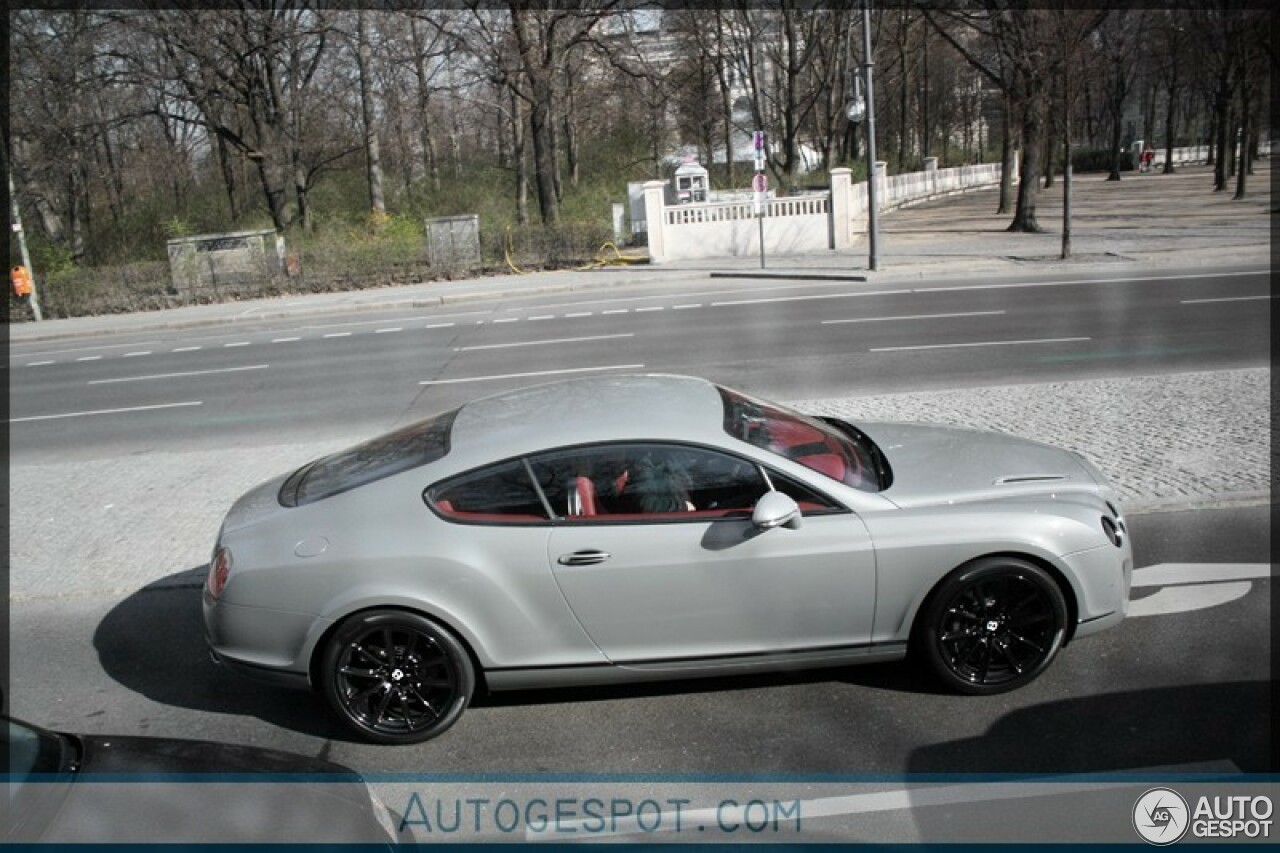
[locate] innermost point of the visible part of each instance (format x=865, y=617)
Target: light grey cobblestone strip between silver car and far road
x=112, y=527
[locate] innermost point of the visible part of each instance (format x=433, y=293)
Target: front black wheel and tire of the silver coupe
x=993, y=626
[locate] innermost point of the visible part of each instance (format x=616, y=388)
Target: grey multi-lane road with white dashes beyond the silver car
x=316, y=380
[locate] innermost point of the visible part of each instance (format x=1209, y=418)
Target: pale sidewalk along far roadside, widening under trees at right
x=1141, y=222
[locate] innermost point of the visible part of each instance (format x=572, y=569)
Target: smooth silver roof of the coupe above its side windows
x=586, y=410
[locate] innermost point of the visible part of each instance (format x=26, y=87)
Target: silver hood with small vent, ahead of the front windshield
x=953, y=464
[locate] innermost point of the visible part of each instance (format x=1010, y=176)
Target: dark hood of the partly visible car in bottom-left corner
x=156, y=790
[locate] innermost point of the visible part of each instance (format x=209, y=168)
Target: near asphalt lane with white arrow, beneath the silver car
x=1183, y=683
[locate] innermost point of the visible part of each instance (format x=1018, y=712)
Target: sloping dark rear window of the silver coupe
x=417, y=445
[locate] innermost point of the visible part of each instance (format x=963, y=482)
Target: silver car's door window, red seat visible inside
x=643, y=482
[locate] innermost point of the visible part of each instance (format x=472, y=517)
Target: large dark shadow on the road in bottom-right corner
x=1104, y=751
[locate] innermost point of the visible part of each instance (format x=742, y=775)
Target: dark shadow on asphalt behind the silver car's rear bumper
x=154, y=645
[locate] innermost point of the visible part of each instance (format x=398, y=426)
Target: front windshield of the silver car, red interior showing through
x=847, y=458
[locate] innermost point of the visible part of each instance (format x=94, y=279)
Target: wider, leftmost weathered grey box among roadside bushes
x=214, y=262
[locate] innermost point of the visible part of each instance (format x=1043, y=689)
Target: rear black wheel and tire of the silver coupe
x=396, y=678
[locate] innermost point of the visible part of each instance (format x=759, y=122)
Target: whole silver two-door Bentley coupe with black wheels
x=651, y=528
